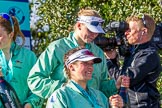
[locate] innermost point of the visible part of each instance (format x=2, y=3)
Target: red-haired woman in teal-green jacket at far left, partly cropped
x=16, y=61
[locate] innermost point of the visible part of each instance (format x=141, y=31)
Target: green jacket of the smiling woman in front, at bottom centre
x=69, y=96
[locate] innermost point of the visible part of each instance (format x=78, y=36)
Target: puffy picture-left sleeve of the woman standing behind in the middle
x=40, y=79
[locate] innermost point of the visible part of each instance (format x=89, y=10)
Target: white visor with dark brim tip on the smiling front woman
x=82, y=55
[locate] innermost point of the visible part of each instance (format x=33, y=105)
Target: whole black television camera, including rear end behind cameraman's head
x=119, y=40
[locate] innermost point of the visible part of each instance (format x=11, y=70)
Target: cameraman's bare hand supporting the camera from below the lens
x=111, y=54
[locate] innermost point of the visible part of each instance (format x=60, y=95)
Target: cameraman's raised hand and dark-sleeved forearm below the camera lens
x=112, y=63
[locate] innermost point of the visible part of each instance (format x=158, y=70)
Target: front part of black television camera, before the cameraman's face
x=119, y=41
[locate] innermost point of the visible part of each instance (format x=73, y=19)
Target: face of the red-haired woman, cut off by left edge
x=5, y=40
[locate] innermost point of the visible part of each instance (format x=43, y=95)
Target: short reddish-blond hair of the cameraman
x=150, y=23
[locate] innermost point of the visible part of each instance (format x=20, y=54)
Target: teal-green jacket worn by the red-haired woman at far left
x=22, y=61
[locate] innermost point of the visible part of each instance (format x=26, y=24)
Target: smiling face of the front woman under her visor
x=82, y=71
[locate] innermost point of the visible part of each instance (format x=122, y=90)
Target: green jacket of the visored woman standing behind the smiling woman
x=47, y=74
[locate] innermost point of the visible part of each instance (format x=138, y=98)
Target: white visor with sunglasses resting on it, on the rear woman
x=94, y=24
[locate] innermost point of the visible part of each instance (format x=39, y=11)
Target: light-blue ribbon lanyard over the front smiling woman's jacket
x=85, y=94
